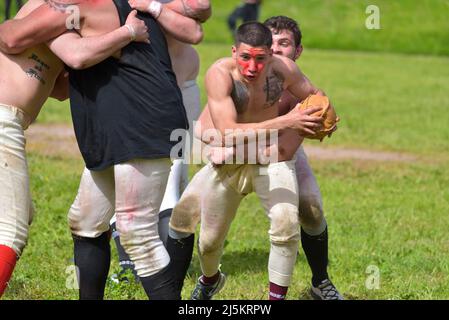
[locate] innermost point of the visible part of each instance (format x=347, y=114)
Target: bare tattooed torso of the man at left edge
x=27, y=79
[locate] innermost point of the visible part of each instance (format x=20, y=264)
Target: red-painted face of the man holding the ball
x=252, y=62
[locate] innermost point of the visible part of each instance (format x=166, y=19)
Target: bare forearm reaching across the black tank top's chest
x=82, y=53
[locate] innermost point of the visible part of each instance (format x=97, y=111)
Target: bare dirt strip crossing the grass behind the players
x=59, y=140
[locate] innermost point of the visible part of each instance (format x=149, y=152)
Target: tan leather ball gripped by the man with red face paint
x=327, y=112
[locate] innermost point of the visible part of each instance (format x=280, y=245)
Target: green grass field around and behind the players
x=388, y=215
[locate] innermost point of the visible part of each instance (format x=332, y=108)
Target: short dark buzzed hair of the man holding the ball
x=255, y=34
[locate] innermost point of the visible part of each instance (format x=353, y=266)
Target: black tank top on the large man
x=126, y=109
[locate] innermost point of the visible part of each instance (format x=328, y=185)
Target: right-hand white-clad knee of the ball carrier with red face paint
x=284, y=224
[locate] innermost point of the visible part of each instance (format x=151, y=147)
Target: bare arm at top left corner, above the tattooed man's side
x=39, y=26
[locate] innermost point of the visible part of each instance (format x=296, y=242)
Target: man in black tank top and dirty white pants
x=126, y=151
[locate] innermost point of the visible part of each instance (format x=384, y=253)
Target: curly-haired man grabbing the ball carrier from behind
x=314, y=237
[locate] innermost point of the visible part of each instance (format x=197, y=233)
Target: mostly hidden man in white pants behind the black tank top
x=186, y=65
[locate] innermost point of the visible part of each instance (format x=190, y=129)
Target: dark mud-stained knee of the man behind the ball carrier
x=310, y=212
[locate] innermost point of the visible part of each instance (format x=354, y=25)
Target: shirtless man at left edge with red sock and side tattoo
x=39, y=73
